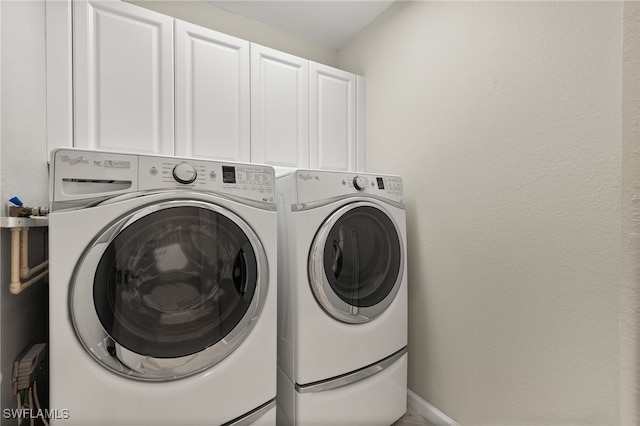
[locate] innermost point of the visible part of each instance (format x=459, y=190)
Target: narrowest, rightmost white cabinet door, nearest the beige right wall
x=332, y=118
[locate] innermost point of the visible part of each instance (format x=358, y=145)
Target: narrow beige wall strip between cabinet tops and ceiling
x=204, y=14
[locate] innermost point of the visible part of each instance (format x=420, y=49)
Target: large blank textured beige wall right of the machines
x=505, y=120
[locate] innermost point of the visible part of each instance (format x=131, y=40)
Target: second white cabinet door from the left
x=212, y=94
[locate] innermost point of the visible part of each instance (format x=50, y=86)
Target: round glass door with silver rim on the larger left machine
x=175, y=288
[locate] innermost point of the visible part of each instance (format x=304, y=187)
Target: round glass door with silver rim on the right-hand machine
x=356, y=263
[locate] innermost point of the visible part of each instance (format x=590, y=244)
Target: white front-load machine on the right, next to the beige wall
x=342, y=298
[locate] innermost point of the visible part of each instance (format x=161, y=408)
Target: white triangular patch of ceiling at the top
x=330, y=23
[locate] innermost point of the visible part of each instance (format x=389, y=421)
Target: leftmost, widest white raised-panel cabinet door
x=123, y=77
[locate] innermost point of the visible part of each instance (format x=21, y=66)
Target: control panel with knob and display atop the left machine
x=83, y=174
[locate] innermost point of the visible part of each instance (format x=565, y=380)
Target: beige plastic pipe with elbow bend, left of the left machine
x=20, y=262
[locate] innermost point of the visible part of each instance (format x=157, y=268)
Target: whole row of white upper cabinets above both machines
x=135, y=80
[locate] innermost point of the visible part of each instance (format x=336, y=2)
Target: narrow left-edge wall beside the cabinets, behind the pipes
x=23, y=172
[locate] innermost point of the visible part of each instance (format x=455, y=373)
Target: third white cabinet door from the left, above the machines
x=279, y=108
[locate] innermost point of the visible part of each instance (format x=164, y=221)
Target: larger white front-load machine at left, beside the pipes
x=162, y=291
